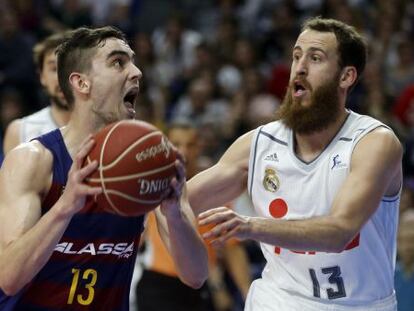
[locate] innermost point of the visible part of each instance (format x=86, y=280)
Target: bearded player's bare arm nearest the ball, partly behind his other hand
x=224, y=181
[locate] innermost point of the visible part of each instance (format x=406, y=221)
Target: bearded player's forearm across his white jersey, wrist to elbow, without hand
x=323, y=233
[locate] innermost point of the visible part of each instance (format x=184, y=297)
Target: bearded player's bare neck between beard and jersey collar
x=309, y=146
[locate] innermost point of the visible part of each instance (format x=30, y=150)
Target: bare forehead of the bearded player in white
x=316, y=40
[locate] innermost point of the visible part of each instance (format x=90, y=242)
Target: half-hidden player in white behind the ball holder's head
x=51, y=117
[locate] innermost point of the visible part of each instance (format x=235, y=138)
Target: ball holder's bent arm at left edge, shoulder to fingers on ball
x=28, y=239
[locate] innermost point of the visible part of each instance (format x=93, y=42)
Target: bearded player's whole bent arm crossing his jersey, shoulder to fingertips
x=375, y=172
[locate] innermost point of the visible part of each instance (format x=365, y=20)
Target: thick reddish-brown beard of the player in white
x=323, y=110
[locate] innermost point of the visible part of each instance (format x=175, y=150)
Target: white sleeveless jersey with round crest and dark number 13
x=283, y=186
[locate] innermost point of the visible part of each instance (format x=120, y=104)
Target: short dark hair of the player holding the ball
x=76, y=54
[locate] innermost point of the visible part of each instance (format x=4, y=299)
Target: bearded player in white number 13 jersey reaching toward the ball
x=324, y=181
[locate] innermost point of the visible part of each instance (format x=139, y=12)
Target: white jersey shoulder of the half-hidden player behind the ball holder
x=37, y=124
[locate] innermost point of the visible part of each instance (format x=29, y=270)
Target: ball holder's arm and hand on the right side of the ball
x=178, y=229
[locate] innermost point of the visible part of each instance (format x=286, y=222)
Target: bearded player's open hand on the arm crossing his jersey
x=228, y=224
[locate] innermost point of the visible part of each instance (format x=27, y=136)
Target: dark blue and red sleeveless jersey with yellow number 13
x=91, y=267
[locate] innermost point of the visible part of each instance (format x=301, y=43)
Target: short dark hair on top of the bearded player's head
x=352, y=48
